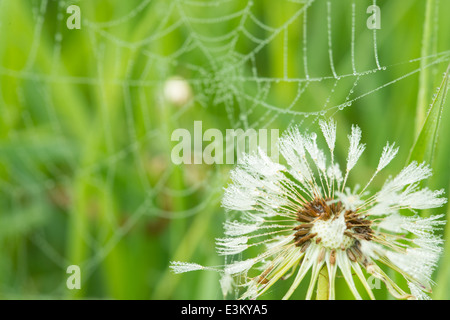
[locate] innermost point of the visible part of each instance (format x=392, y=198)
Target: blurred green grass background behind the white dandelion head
x=86, y=176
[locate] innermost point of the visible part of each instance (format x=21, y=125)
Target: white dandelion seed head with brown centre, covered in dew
x=302, y=218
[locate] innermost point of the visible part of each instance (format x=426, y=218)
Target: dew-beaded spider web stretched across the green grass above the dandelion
x=87, y=124
